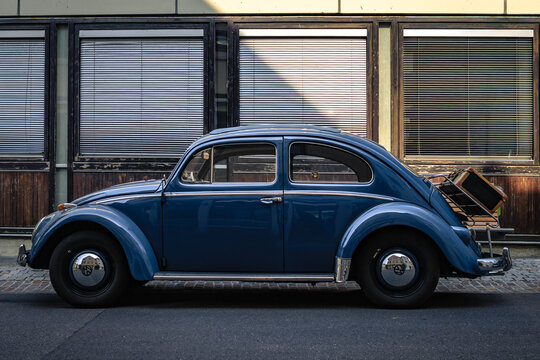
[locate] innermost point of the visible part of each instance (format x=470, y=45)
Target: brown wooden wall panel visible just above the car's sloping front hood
x=87, y=182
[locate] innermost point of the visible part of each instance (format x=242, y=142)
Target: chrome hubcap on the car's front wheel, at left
x=88, y=269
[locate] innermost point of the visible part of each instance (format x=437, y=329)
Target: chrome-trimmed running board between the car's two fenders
x=187, y=276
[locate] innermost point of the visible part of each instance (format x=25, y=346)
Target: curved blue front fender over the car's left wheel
x=139, y=254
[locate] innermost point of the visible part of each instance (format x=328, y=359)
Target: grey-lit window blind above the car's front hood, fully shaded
x=140, y=97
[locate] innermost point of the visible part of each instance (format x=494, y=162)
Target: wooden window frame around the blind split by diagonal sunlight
x=324, y=24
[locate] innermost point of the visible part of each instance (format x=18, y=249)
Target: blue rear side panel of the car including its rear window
x=328, y=185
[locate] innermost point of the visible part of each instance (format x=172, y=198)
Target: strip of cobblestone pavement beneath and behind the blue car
x=523, y=278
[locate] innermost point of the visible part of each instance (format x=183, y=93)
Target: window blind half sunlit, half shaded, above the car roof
x=304, y=80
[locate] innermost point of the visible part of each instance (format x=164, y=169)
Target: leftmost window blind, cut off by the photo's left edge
x=22, y=96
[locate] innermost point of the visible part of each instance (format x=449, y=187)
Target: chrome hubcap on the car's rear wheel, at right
x=397, y=269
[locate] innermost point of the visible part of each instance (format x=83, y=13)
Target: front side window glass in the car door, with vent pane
x=245, y=163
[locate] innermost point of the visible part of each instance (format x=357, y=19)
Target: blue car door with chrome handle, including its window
x=224, y=211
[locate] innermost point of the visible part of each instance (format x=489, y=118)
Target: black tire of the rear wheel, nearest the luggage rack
x=370, y=259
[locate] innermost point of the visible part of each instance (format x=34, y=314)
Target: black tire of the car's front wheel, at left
x=113, y=276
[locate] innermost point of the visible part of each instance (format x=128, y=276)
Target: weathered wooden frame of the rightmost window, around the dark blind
x=432, y=164
